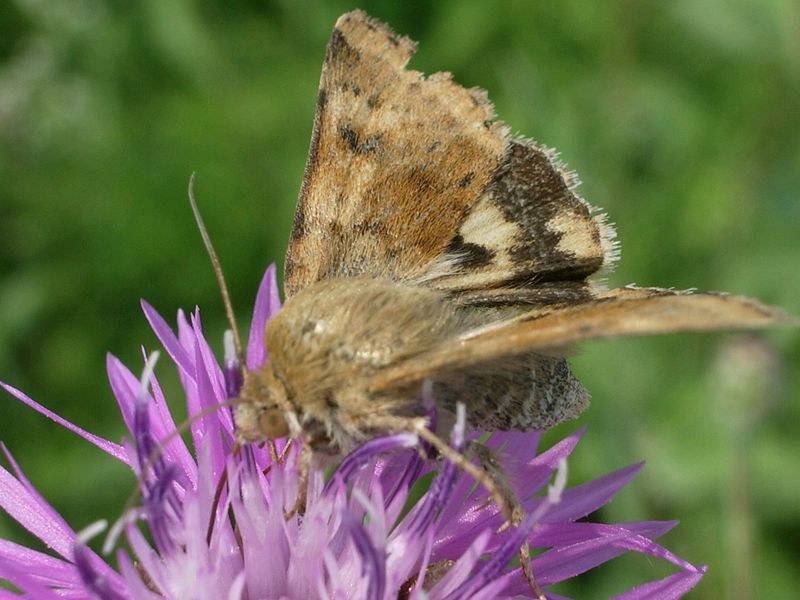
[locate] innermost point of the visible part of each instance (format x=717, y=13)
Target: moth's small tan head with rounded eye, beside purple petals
x=261, y=412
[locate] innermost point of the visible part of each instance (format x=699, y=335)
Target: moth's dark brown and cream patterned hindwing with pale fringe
x=529, y=238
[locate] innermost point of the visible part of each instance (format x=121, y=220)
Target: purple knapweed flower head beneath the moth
x=212, y=523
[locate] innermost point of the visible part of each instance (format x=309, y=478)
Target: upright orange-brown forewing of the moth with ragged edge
x=396, y=161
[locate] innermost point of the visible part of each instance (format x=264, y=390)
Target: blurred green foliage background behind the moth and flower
x=681, y=117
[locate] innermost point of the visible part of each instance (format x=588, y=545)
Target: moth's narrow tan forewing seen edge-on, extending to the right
x=621, y=312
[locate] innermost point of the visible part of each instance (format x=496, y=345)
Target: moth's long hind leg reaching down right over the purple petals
x=507, y=503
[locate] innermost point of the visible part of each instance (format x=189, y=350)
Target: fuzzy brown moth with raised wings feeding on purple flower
x=430, y=244
